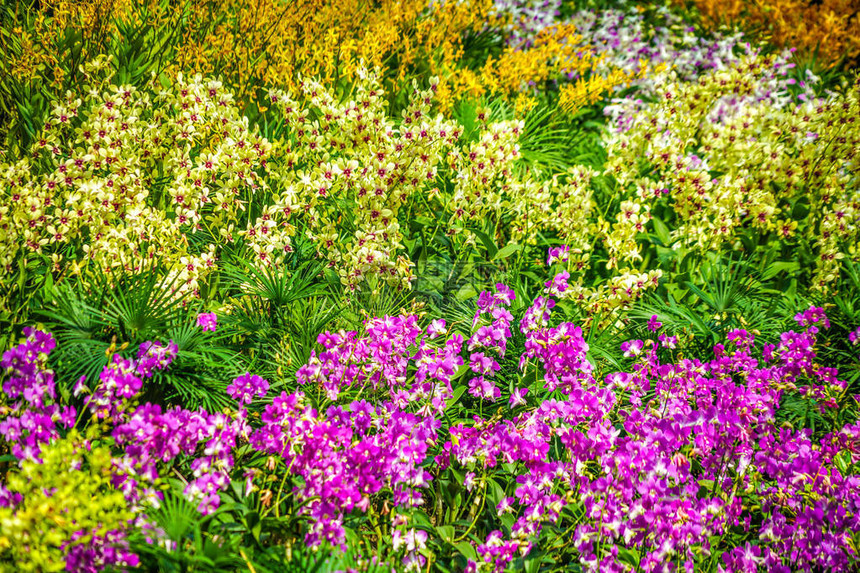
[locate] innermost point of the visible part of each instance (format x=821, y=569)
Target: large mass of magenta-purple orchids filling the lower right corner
x=642, y=489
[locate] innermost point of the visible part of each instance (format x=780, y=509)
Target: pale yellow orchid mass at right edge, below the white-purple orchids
x=726, y=157
